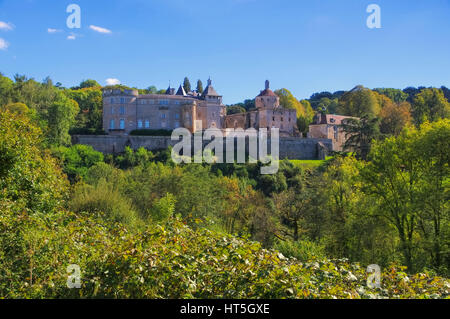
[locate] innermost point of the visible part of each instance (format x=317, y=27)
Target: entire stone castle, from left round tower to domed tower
x=126, y=110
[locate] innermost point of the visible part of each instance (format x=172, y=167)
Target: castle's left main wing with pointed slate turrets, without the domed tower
x=126, y=110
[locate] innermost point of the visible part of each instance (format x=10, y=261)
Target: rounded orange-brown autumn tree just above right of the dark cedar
x=394, y=117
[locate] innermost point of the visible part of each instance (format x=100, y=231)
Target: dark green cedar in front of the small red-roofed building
x=359, y=134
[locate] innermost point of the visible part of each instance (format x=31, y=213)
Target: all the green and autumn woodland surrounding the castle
x=140, y=226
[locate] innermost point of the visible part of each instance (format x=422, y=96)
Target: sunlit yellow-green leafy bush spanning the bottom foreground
x=174, y=261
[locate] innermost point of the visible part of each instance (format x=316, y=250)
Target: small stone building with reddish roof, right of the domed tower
x=329, y=126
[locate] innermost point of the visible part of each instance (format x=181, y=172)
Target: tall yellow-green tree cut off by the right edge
x=431, y=153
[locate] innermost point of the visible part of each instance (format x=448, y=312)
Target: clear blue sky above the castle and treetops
x=304, y=46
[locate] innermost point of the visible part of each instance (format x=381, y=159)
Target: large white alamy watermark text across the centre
x=257, y=146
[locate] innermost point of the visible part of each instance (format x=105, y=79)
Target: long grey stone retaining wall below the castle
x=290, y=147
